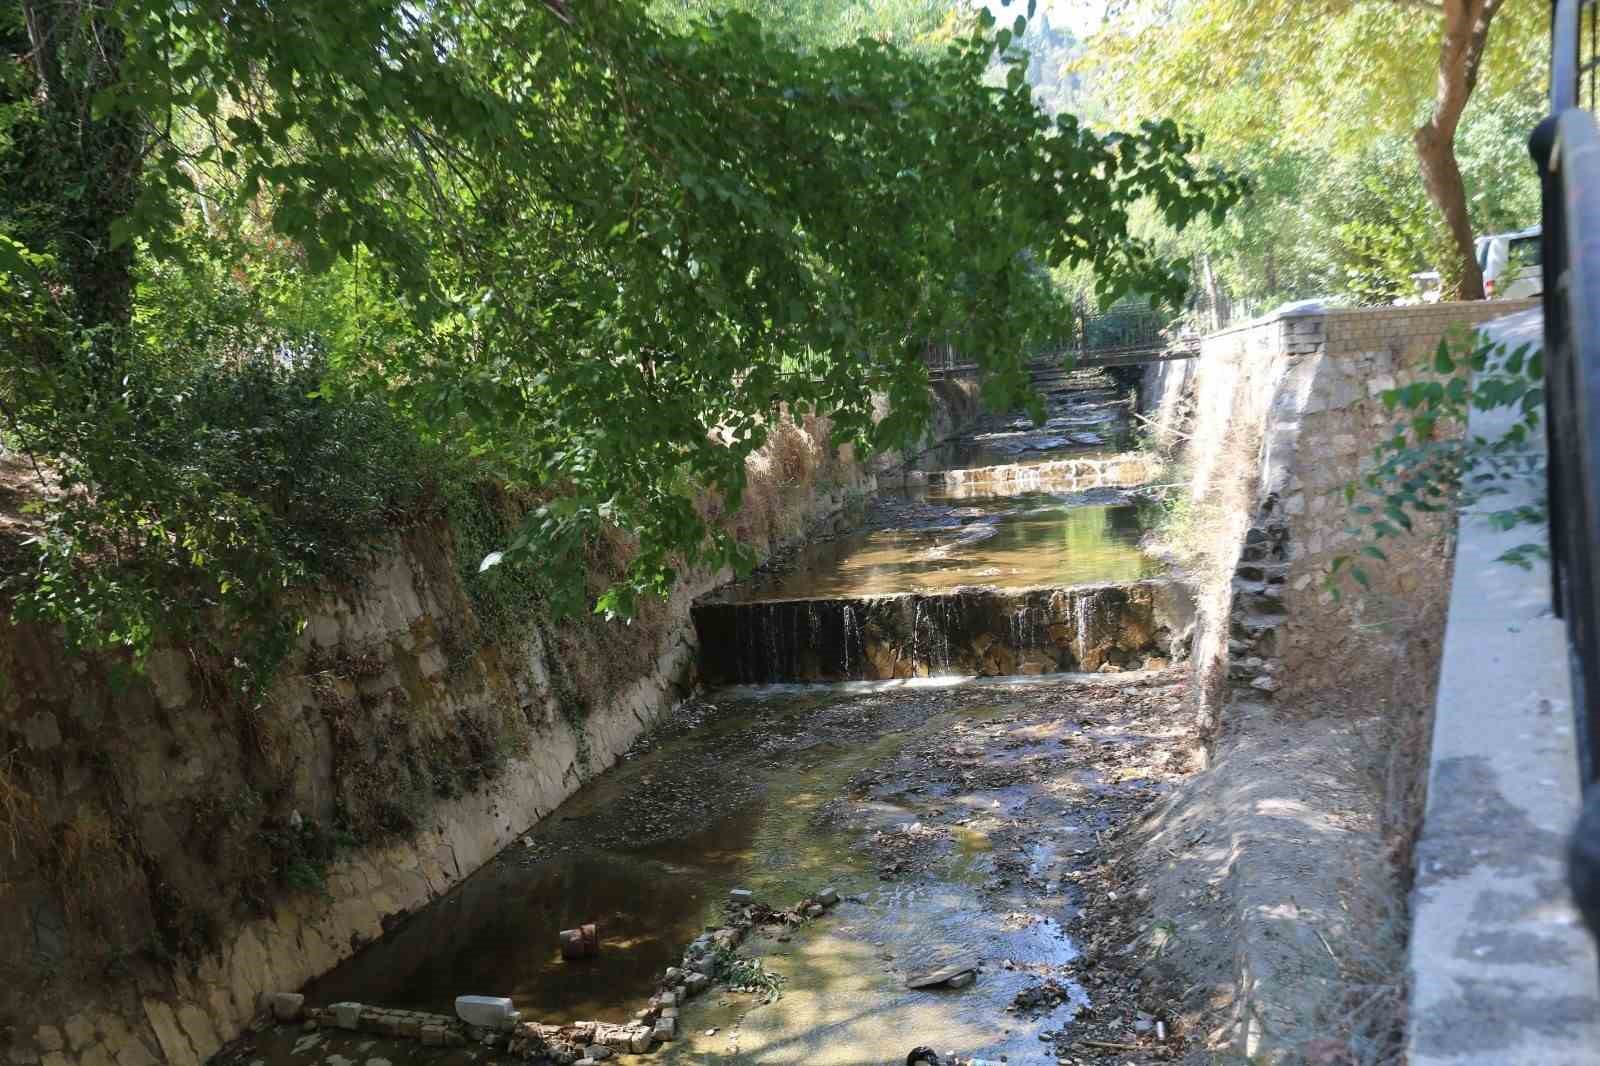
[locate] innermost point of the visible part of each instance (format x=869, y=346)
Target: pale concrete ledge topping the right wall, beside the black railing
x=1502, y=971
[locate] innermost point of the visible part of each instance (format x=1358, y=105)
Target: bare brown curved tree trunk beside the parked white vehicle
x=1466, y=30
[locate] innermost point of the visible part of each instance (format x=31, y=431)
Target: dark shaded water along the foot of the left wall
x=498, y=932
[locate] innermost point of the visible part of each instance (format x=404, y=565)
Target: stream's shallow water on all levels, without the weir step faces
x=780, y=790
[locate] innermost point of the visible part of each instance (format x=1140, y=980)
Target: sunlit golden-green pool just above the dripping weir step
x=1018, y=543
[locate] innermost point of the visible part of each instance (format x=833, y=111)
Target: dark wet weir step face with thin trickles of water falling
x=972, y=631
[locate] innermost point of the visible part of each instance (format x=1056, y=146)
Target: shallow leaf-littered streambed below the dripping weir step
x=956, y=822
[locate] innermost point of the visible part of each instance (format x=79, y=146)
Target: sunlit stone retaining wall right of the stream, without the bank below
x=1302, y=395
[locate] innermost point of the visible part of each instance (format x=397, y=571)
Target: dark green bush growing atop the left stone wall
x=266, y=484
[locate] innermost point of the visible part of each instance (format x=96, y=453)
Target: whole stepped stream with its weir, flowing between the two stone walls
x=935, y=715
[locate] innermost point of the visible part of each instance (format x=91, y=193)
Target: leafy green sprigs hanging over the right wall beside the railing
x=1431, y=467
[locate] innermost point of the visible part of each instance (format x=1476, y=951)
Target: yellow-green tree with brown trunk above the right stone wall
x=1334, y=79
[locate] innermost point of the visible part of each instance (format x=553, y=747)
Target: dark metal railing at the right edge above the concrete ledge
x=1567, y=151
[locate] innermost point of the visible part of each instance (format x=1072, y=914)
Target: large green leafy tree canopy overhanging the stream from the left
x=594, y=254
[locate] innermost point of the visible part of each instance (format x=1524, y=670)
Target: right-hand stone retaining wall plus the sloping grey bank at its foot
x=1305, y=699
